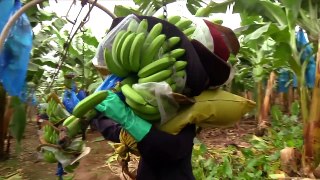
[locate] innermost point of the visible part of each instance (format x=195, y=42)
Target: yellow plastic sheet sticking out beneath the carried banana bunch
x=213, y=108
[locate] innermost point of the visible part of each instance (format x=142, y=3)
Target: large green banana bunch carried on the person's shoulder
x=141, y=56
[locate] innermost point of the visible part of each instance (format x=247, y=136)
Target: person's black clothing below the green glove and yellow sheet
x=163, y=156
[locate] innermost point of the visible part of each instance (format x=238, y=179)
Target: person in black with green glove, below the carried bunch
x=163, y=155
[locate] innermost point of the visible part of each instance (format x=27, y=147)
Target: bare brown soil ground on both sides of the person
x=27, y=165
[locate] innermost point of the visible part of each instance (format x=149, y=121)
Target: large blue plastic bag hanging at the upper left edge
x=15, y=55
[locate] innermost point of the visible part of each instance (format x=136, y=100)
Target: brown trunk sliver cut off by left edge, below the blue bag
x=2, y=121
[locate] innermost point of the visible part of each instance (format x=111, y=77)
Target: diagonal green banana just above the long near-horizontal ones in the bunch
x=152, y=50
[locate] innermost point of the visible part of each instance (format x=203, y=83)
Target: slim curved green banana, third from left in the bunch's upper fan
x=125, y=51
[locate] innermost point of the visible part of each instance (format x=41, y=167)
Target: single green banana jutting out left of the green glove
x=89, y=103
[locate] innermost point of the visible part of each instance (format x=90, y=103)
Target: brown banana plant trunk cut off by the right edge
x=312, y=128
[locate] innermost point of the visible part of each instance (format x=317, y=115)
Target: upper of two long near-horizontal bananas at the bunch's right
x=156, y=66
